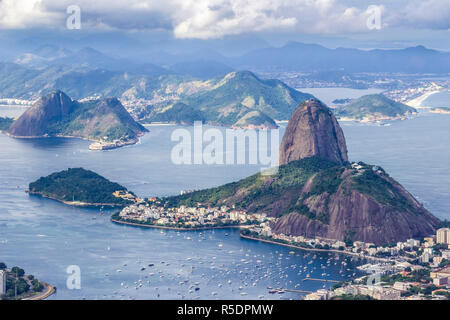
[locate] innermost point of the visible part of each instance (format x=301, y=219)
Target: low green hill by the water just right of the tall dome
x=373, y=107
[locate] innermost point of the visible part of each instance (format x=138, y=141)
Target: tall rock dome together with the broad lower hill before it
x=317, y=192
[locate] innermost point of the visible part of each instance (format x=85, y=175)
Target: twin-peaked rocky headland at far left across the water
x=104, y=121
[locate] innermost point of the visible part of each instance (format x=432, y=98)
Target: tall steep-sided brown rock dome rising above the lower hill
x=313, y=131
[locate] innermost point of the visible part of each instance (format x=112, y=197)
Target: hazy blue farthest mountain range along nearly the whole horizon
x=294, y=56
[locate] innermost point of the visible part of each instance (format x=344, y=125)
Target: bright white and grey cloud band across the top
x=213, y=19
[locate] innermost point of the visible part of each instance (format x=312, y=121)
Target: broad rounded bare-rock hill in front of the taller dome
x=365, y=204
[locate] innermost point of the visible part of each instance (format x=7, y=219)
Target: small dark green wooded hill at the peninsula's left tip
x=78, y=185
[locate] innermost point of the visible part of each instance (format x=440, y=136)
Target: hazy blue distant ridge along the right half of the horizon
x=297, y=56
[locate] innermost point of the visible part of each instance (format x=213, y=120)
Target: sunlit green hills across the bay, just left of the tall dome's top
x=239, y=99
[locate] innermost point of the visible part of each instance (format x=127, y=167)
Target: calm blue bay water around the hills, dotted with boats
x=45, y=237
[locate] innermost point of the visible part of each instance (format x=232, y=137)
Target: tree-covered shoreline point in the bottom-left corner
x=16, y=285
